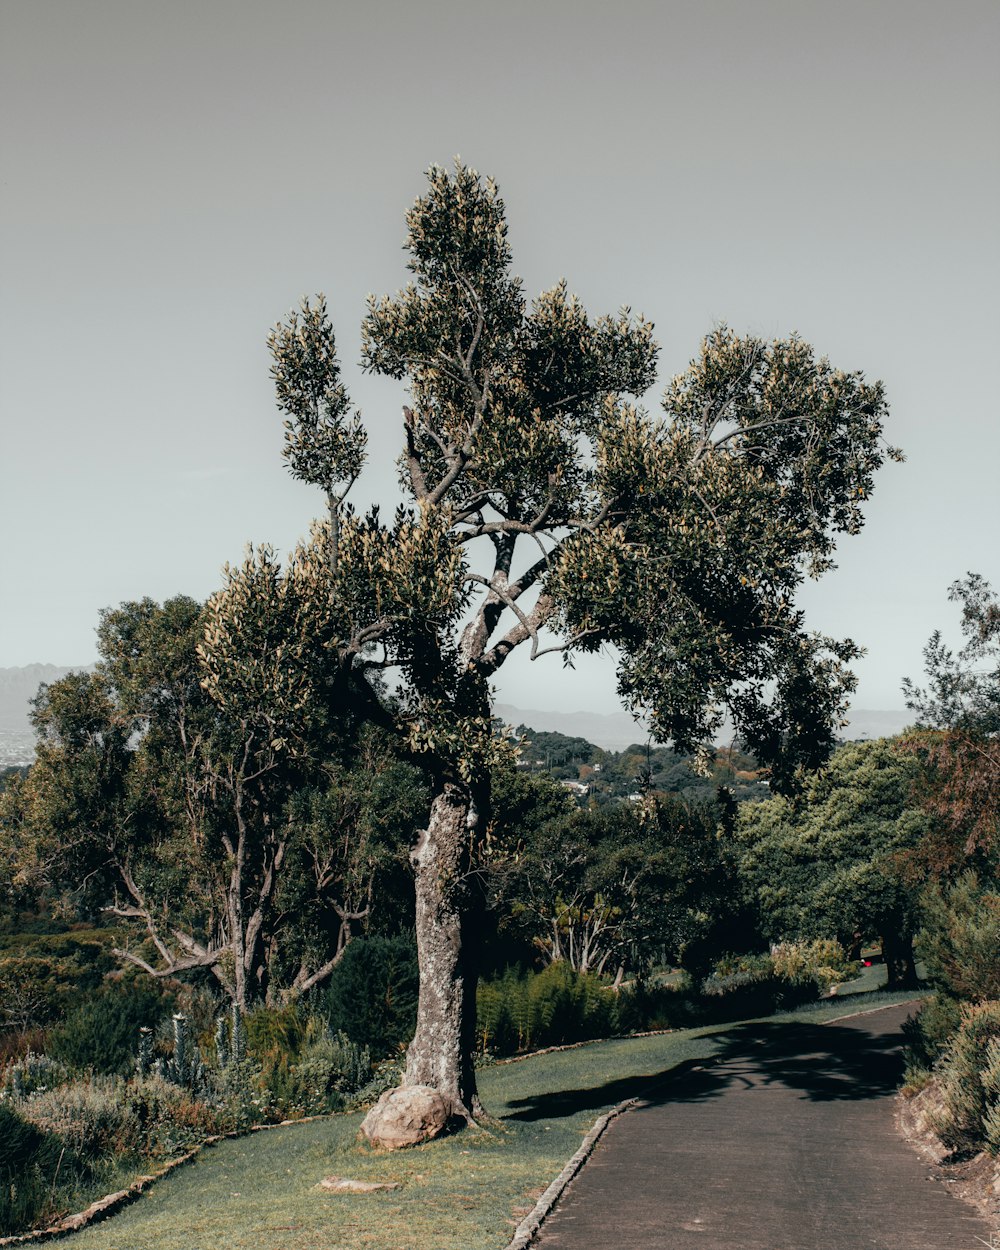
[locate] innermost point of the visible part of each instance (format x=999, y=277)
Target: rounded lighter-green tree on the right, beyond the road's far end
x=833, y=862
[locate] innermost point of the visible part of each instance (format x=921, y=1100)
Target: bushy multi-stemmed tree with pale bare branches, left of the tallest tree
x=207, y=799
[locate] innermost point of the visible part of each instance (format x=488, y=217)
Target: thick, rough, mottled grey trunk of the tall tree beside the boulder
x=442, y=1052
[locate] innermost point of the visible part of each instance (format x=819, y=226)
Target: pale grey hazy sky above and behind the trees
x=177, y=177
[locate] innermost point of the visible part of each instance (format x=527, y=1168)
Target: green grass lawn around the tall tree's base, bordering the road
x=461, y=1193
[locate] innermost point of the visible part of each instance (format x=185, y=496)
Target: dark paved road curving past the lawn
x=786, y=1142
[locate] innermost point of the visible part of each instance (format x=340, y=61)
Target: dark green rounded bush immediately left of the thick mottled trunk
x=372, y=996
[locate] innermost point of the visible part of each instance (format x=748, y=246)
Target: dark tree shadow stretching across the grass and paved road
x=826, y=1063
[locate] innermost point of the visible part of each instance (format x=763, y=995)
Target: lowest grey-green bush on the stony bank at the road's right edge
x=968, y=1079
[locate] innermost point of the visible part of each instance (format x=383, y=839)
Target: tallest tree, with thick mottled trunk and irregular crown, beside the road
x=547, y=511
